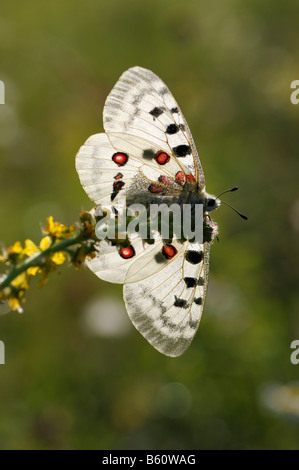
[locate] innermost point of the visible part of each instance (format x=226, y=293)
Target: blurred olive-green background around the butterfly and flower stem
x=77, y=374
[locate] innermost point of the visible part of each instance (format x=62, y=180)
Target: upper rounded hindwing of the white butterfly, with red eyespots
x=106, y=172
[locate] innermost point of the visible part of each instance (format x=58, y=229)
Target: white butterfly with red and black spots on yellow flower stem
x=147, y=153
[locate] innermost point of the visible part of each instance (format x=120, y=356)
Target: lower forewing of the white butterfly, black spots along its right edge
x=166, y=306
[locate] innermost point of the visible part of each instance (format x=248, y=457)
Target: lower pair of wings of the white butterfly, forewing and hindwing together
x=164, y=297
